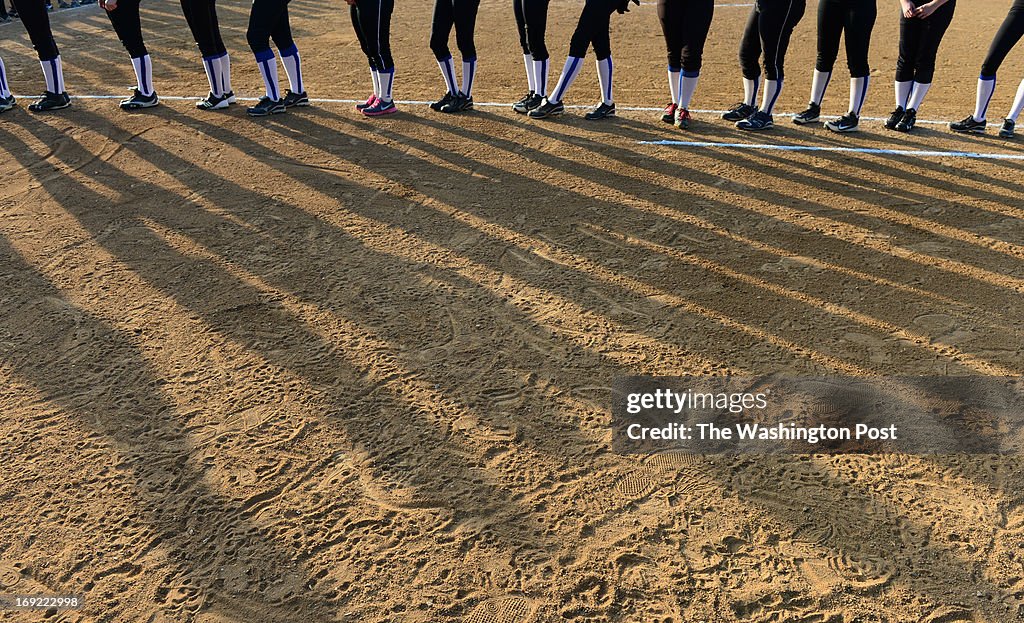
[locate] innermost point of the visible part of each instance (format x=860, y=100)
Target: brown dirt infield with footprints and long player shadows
x=322, y=368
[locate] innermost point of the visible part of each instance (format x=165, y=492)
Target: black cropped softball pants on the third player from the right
x=852, y=20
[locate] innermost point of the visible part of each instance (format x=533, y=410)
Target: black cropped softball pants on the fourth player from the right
x=769, y=31
